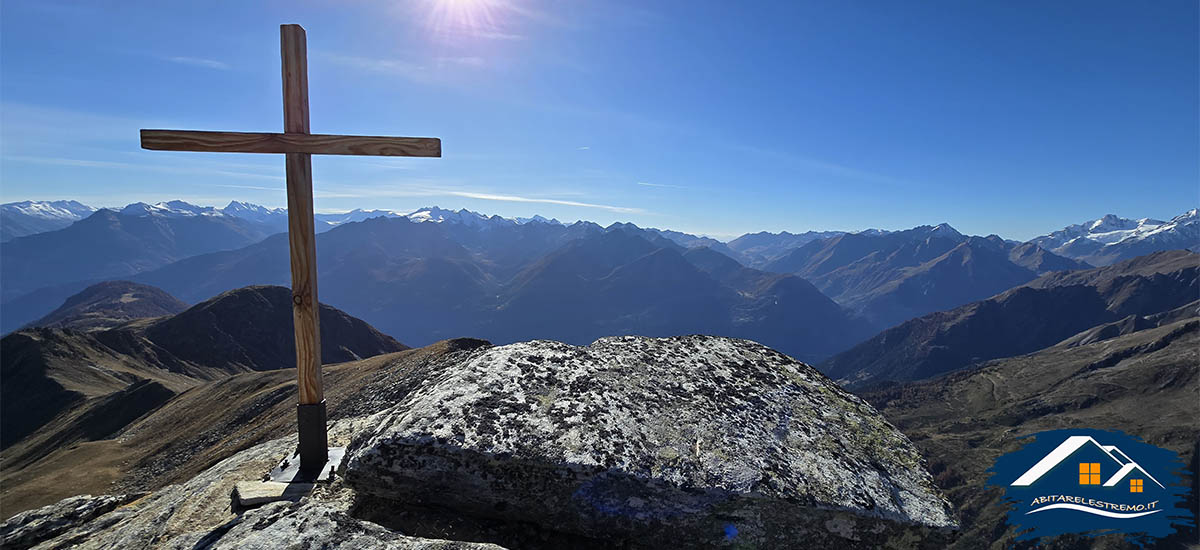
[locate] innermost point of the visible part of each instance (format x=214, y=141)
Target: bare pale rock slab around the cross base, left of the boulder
x=196, y=516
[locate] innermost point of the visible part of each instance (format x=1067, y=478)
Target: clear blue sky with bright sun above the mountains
x=716, y=118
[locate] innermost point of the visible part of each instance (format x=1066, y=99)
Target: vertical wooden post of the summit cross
x=311, y=414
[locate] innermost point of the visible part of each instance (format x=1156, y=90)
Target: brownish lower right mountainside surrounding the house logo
x=1145, y=384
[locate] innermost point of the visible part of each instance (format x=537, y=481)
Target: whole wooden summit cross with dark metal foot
x=298, y=146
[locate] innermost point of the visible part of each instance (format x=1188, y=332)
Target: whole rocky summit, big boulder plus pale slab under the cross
x=631, y=443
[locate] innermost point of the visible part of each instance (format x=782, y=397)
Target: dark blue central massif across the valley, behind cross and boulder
x=511, y=283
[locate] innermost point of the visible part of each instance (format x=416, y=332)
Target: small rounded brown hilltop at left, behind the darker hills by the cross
x=110, y=304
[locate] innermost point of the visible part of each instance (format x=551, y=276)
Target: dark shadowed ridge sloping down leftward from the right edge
x=1023, y=320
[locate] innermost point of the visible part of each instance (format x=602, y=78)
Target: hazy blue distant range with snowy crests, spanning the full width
x=478, y=274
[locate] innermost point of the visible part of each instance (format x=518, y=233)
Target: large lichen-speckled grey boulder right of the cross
x=691, y=441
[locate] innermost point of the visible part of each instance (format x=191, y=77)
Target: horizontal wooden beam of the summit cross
x=267, y=142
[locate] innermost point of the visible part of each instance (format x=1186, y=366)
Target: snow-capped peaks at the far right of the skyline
x=1112, y=240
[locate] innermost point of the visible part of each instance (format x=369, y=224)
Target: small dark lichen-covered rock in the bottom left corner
x=31, y=528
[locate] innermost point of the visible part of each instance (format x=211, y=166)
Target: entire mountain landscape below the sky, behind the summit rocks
x=123, y=384
